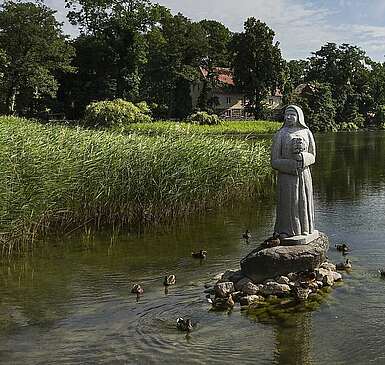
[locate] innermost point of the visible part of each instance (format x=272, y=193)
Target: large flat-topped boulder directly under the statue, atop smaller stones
x=261, y=264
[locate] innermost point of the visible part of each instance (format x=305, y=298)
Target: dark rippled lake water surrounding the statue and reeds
x=72, y=304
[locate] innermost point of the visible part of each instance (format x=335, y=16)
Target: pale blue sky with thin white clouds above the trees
x=301, y=26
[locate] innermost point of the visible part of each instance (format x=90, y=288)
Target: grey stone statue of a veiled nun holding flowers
x=293, y=151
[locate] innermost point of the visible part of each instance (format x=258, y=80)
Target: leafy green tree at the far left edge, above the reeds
x=34, y=50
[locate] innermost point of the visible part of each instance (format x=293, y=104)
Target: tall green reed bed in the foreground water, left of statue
x=57, y=179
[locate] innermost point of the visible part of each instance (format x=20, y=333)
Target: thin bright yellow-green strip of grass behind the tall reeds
x=226, y=127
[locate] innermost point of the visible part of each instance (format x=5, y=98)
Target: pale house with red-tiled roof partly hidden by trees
x=228, y=102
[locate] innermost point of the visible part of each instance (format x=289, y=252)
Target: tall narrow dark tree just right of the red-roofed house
x=258, y=64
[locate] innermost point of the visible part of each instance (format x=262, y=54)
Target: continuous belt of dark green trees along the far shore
x=137, y=50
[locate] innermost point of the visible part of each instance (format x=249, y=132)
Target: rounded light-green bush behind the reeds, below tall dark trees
x=116, y=112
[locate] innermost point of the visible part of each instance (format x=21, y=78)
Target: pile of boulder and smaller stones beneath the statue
x=284, y=271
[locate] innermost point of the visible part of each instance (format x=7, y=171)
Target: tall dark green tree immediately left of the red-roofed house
x=177, y=47
